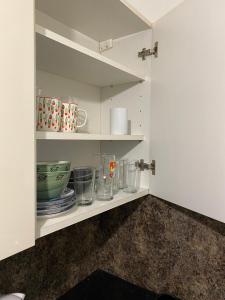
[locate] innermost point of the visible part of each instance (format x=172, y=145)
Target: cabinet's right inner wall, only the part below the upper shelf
x=136, y=98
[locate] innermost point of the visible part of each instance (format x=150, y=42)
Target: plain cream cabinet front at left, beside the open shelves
x=17, y=151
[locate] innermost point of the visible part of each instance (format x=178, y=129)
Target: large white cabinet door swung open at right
x=188, y=108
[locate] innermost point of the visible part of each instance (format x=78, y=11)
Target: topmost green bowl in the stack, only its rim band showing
x=53, y=166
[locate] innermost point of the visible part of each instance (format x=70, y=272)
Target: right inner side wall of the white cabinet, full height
x=134, y=96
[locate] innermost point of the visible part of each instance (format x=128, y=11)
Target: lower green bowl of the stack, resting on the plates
x=51, y=184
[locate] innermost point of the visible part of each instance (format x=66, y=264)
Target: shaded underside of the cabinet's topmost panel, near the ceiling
x=98, y=19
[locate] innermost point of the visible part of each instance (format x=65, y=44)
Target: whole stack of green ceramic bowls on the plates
x=52, y=179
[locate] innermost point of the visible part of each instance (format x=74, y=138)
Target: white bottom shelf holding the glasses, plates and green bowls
x=78, y=214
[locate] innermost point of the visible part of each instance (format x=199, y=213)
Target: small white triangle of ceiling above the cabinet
x=153, y=10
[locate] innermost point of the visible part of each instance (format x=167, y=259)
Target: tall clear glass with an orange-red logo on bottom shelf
x=106, y=173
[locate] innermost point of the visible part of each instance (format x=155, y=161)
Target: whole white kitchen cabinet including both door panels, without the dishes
x=169, y=106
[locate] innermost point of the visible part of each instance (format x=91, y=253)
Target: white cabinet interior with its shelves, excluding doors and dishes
x=70, y=63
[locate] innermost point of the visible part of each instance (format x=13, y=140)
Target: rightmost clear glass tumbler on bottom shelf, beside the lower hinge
x=133, y=177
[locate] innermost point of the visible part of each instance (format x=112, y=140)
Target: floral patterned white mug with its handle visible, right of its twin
x=70, y=117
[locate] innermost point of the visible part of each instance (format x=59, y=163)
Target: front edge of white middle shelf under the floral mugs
x=41, y=135
